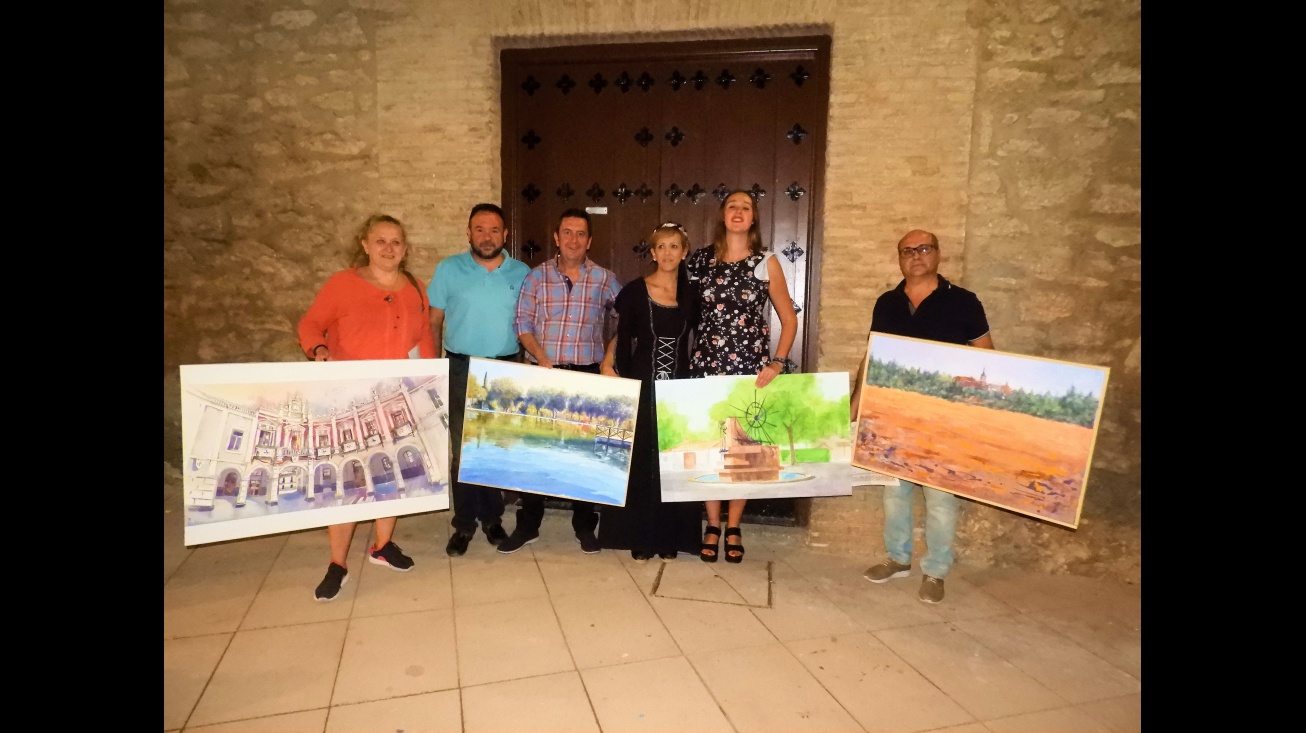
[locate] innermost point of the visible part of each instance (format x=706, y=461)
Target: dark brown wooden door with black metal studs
x=654, y=133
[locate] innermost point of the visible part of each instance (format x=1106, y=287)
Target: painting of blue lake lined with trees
x=552, y=432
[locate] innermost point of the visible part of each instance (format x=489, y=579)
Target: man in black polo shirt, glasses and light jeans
x=923, y=306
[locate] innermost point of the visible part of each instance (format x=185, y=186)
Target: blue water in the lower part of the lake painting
x=573, y=474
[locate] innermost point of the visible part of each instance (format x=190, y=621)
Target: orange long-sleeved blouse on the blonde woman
x=358, y=321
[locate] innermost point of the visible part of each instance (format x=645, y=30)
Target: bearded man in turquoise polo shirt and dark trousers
x=473, y=304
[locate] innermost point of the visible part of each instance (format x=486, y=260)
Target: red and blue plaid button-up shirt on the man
x=567, y=322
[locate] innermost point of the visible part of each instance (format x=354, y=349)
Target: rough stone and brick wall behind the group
x=1011, y=130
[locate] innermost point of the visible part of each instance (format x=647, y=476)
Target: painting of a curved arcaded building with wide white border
x=283, y=448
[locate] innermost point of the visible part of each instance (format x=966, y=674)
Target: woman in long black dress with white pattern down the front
x=654, y=335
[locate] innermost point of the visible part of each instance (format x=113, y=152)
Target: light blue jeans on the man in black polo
x=941, y=527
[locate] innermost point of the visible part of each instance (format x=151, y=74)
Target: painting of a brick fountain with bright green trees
x=723, y=438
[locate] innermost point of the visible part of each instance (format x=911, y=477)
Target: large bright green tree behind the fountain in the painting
x=792, y=404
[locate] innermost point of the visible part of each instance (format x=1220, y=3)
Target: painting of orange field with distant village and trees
x=1005, y=429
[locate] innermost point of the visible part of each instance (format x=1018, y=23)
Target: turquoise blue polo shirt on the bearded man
x=479, y=306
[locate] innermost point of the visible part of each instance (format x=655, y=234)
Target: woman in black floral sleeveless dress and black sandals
x=735, y=280
